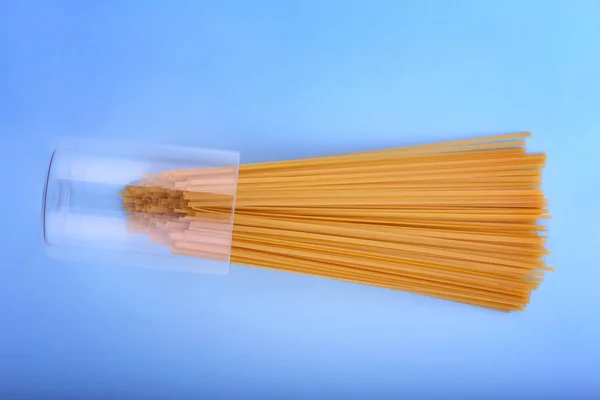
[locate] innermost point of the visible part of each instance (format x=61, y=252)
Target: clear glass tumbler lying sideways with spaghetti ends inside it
x=140, y=204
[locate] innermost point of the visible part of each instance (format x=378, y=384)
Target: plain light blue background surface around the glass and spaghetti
x=277, y=80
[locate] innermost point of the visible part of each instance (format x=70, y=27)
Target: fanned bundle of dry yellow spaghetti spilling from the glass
x=456, y=220
